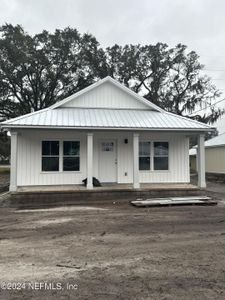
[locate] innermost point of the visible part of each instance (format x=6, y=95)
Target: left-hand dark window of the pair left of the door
x=50, y=156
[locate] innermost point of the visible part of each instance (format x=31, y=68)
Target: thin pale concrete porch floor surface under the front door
x=108, y=188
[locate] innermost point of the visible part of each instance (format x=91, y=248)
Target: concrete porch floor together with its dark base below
x=46, y=196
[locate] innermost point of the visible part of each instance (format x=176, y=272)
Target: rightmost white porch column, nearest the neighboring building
x=201, y=161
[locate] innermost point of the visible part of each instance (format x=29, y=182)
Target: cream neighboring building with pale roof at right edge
x=214, y=155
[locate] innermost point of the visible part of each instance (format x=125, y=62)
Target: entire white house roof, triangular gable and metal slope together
x=130, y=111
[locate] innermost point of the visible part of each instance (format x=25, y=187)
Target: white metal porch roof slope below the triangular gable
x=96, y=118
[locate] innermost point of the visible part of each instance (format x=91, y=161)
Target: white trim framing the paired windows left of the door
x=60, y=140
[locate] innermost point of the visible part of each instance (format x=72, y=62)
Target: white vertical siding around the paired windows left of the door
x=29, y=158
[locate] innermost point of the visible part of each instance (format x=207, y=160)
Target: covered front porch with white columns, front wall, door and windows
x=113, y=157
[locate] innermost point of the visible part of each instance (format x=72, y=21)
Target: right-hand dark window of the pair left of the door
x=71, y=156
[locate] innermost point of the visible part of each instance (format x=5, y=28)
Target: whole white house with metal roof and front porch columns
x=105, y=131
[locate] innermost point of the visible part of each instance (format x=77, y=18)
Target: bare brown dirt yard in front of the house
x=113, y=251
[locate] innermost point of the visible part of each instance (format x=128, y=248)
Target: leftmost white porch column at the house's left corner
x=13, y=162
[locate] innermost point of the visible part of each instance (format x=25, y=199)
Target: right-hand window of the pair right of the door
x=161, y=151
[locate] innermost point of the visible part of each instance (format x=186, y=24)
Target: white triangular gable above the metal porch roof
x=106, y=93
